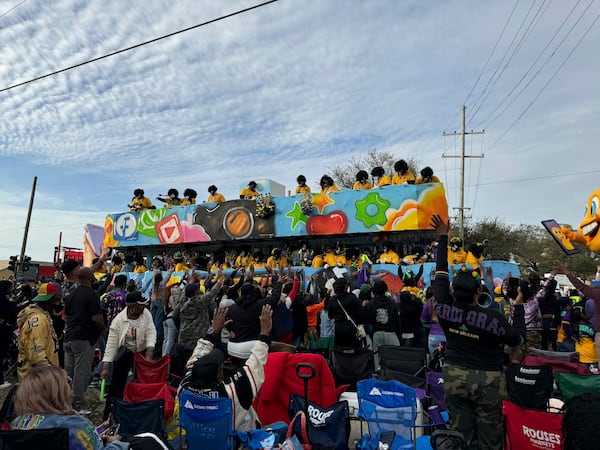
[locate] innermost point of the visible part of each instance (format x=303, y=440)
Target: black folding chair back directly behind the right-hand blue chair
x=404, y=364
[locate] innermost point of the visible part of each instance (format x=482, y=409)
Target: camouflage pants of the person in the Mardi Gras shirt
x=474, y=399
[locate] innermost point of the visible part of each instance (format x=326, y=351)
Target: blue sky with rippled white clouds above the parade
x=293, y=87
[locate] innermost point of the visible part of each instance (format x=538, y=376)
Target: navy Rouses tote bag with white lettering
x=328, y=428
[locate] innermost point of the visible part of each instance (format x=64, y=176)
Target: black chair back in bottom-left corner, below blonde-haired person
x=40, y=439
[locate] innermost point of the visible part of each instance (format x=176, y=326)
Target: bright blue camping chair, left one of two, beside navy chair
x=207, y=421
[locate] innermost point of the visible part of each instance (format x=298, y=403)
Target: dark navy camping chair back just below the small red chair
x=139, y=417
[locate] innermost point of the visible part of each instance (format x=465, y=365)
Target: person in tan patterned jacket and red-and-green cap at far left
x=38, y=344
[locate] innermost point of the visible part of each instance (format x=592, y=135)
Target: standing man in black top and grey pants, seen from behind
x=85, y=324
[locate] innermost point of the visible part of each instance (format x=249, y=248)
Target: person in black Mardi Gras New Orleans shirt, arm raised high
x=473, y=378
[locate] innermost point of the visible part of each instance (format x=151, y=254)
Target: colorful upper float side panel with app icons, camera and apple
x=385, y=209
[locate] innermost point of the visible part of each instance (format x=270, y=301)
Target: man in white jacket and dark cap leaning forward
x=131, y=331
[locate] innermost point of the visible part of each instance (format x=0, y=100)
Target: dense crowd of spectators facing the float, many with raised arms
x=236, y=317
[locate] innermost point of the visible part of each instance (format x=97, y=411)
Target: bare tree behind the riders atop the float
x=345, y=176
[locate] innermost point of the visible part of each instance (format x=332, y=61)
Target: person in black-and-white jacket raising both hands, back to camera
x=204, y=375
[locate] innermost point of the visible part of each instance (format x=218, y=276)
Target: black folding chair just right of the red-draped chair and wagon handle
x=350, y=365
